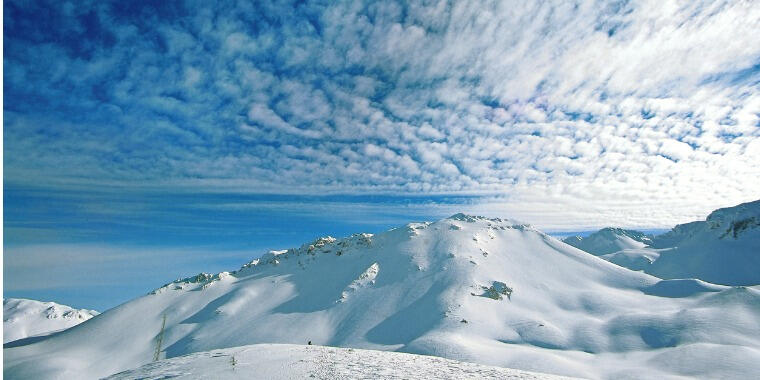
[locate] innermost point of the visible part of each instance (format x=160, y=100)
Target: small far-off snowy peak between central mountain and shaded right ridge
x=609, y=240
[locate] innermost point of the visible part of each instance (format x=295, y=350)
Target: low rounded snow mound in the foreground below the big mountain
x=285, y=361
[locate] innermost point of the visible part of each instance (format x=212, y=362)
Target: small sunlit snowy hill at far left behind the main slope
x=28, y=318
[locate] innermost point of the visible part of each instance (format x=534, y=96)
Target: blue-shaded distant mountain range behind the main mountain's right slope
x=723, y=249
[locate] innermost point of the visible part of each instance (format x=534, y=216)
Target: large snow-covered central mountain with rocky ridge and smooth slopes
x=489, y=291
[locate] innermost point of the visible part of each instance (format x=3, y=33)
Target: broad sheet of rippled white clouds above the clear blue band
x=576, y=104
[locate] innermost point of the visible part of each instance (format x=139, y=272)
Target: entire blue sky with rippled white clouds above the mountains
x=148, y=140
